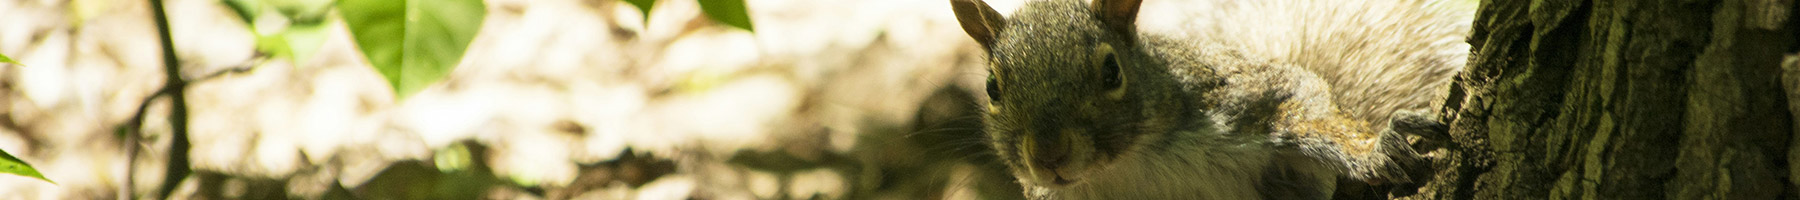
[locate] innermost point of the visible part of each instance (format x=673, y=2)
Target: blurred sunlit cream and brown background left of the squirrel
x=555, y=100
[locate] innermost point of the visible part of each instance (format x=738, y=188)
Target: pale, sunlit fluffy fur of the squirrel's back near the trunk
x=1380, y=57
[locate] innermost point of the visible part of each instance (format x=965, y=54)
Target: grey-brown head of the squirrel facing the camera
x=1066, y=87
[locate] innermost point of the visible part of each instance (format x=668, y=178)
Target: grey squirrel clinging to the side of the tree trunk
x=1083, y=105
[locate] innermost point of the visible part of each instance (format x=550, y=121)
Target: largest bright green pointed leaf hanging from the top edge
x=413, y=42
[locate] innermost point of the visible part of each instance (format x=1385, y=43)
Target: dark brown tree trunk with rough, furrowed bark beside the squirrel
x=1624, y=100
